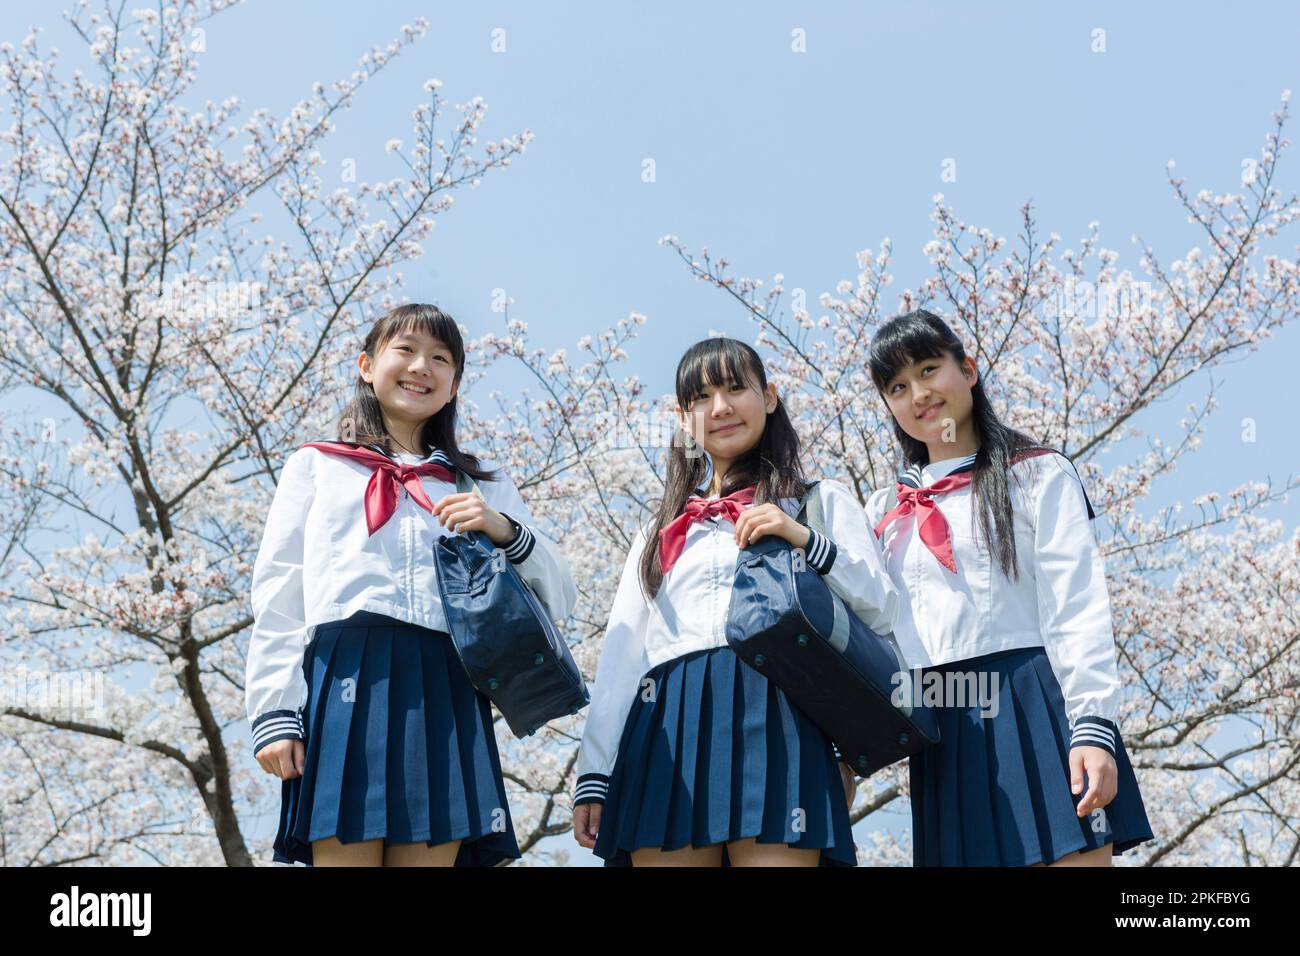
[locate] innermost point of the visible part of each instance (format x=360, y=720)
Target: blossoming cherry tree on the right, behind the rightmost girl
x=1076, y=351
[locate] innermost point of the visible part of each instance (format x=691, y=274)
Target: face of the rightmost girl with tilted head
x=931, y=399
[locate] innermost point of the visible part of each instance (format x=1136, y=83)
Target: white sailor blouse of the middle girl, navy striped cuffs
x=690, y=613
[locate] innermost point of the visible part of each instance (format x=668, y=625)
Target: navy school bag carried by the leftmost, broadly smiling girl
x=505, y=638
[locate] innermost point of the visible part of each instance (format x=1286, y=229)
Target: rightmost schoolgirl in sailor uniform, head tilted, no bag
x=1037, y=773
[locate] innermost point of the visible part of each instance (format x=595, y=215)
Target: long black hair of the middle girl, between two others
x=773, y=466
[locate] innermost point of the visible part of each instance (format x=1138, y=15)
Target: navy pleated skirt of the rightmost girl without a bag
x=996, y=790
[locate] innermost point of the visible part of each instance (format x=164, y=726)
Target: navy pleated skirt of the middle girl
x=720, y=755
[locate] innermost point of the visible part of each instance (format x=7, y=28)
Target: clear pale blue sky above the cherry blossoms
x=794, y=162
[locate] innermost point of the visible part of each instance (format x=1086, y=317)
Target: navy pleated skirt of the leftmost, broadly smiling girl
x=398, y=746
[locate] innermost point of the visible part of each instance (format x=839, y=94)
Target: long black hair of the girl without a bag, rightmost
x=922, y=335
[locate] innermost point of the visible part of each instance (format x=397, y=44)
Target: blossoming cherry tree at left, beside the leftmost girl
x=140, y=295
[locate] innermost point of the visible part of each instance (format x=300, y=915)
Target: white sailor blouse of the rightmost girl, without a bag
x=1060, y=602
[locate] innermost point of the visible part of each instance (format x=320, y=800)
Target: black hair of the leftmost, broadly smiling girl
x=362, y=421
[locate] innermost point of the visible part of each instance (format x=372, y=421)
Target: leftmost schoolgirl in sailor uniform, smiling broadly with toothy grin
x=356, y=694
